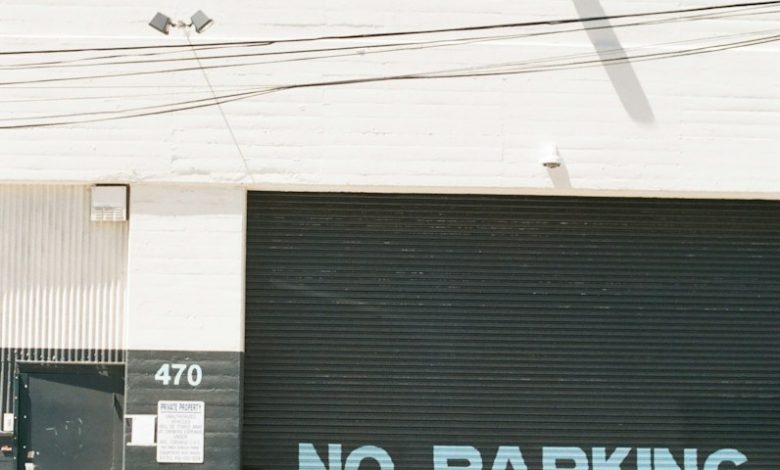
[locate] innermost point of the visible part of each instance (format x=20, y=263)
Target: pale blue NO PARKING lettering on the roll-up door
x=511, y=457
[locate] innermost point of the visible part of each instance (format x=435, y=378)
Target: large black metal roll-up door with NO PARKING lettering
x=406, y=322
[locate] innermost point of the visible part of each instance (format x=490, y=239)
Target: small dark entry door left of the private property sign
x=70, y=418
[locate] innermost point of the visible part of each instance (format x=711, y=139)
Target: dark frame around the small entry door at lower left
x=116, y=370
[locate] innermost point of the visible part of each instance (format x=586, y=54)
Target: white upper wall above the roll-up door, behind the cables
x=716, y=130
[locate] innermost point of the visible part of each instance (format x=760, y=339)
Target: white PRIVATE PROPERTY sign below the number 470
x=180, y=431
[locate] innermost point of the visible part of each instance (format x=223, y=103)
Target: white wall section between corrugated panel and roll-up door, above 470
x=185, y=278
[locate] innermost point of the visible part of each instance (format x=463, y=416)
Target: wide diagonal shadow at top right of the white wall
x=622, y=75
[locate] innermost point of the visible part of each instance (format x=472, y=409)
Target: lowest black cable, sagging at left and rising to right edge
x=425, y=76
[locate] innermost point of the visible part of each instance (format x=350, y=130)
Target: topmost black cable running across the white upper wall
x=415, y=32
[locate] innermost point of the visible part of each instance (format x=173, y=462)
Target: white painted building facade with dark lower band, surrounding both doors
x=321, y=97
